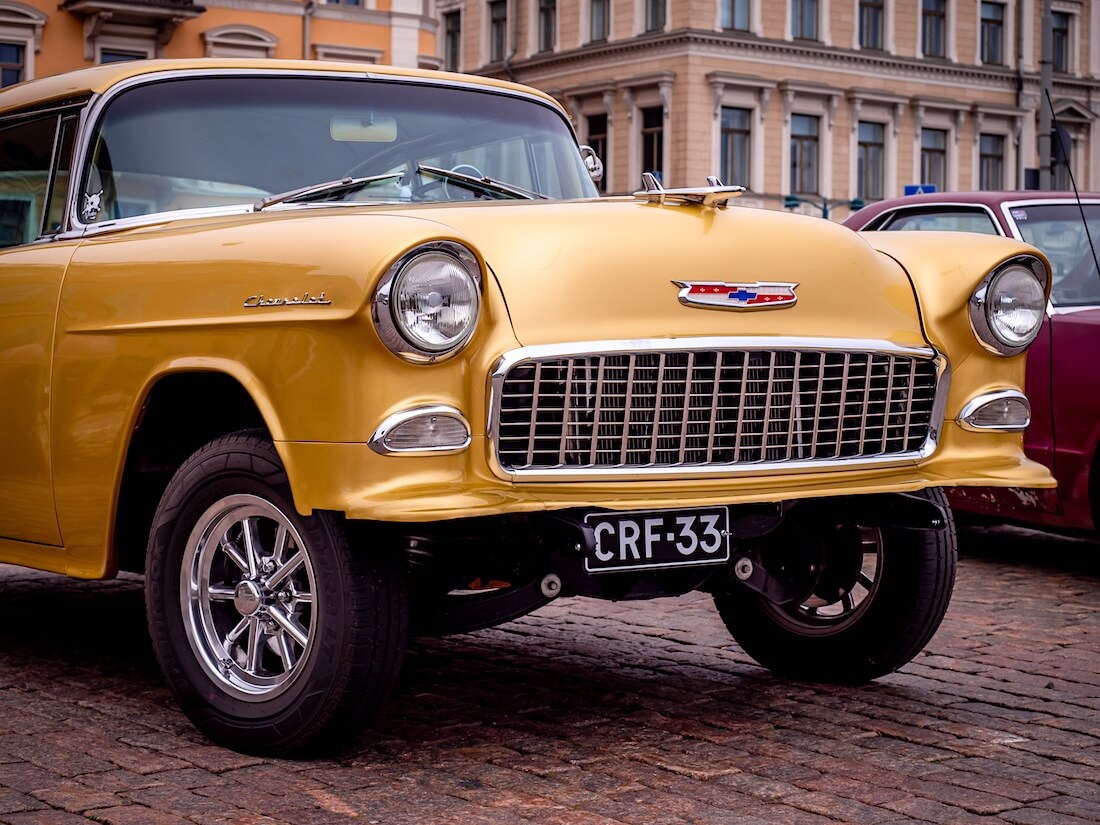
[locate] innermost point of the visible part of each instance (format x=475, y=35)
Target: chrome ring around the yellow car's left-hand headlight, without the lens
x=393, y=333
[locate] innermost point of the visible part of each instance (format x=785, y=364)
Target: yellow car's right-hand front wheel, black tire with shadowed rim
x=898, y=613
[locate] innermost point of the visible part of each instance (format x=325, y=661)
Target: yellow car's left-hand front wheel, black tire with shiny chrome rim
x=228, y=555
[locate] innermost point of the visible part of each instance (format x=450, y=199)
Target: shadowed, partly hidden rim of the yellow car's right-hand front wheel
x=824, y=615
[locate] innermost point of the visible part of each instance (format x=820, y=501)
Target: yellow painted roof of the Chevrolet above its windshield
x=96, y=80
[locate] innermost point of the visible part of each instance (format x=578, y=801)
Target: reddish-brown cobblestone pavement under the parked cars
x=590, y=713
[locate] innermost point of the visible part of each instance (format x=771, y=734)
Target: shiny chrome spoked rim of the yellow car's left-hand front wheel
x=248, y=598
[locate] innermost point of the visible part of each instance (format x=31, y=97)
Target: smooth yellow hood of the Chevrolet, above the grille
x=609, y=271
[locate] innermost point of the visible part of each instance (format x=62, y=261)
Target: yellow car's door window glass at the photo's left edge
x=27, y=150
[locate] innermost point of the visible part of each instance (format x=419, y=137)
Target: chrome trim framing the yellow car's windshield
x=98, y=103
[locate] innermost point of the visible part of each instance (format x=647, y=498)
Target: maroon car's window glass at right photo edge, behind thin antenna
x=1059, y=232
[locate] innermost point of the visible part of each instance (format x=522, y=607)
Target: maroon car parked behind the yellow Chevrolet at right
x=1063, y=365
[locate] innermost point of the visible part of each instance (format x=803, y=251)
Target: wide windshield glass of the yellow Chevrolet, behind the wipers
x=217, y=141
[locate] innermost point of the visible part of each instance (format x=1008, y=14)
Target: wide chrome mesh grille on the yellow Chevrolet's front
x=711, y=409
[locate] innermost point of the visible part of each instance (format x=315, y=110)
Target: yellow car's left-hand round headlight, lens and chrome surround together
x=427, y=305
